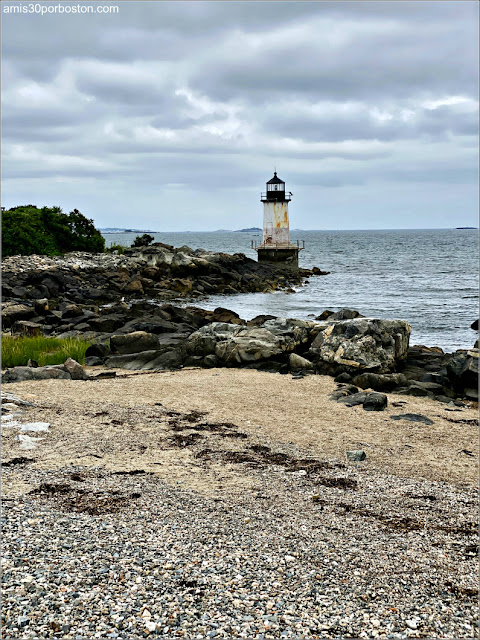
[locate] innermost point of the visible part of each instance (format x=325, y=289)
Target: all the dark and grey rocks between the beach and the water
x=121, y=304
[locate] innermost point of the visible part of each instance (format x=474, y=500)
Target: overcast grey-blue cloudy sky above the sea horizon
x=172, y=115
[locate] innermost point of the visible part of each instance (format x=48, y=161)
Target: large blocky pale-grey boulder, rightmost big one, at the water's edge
x=360, y=345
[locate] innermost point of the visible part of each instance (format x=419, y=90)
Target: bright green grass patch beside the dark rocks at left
x=17, y=350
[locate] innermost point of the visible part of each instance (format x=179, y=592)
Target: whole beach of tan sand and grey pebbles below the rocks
x=165, y=505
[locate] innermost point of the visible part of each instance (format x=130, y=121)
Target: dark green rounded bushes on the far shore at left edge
x=48, y=231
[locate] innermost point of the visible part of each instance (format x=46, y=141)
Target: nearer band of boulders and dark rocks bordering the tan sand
x=362, y=353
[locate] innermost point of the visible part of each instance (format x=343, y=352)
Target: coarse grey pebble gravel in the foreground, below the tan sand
x=284, y=546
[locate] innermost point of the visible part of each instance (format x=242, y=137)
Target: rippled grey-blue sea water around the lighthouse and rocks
x=427, y=277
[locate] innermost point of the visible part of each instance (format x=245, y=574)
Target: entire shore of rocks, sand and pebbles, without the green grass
x=178, y=486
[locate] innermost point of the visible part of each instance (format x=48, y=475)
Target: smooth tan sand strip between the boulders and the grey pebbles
x=123, y=424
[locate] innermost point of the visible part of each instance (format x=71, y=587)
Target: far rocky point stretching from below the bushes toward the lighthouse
x=159, y=271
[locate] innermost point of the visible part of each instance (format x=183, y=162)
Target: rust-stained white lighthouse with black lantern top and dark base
x=276, y=246
